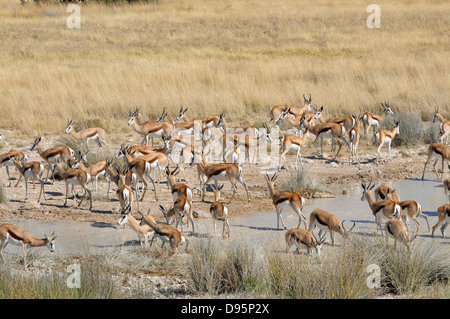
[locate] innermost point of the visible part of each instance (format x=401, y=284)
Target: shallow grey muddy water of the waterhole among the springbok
x=258, y=228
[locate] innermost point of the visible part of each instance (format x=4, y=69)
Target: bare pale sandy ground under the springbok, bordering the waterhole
x=405, y=163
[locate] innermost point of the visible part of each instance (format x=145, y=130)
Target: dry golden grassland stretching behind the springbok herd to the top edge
x=239, y=56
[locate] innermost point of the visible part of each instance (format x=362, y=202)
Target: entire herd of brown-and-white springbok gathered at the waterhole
x=193, y=137
